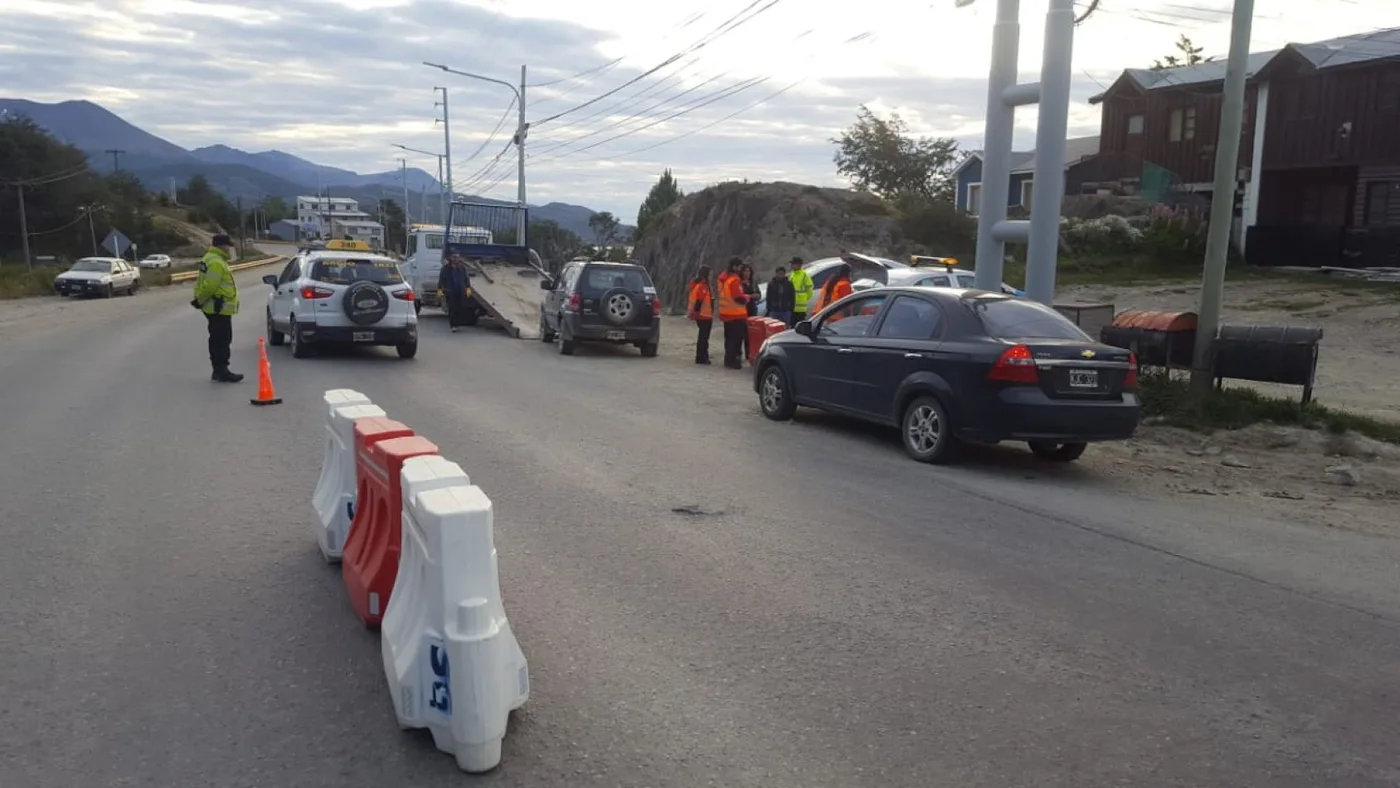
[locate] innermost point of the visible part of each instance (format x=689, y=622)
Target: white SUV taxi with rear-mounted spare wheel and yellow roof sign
x=344, y=295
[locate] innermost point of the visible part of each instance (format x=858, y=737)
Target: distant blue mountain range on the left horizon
x=241, y=176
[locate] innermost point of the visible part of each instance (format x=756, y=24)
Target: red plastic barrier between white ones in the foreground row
x=372, y=555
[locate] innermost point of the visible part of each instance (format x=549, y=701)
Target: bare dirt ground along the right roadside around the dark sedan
x=1286, y=474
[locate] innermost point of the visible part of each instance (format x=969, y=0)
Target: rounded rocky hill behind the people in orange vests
x=766, y=225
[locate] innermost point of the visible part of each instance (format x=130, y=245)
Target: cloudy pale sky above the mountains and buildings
x=339, y=82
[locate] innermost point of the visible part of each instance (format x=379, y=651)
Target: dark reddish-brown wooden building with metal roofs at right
x=1319, y=164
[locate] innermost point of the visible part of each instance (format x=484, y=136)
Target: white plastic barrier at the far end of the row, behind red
x=335, y=492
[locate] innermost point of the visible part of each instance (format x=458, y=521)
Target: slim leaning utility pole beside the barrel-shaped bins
x=1223, y=202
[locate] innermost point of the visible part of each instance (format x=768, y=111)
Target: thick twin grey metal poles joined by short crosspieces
x=1004, y=96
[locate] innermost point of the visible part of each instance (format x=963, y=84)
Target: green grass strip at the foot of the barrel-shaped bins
x=1168, y=398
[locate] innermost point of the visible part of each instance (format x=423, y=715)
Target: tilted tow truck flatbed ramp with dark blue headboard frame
x=506, y=274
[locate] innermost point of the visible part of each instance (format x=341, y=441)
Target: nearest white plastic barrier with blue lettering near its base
x=449, y=653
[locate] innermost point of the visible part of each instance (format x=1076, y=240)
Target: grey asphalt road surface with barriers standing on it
x=821, y=612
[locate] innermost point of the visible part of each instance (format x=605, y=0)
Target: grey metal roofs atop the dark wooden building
x=1345, y=51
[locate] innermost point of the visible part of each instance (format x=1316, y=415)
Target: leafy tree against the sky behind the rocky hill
x=881, y=156
